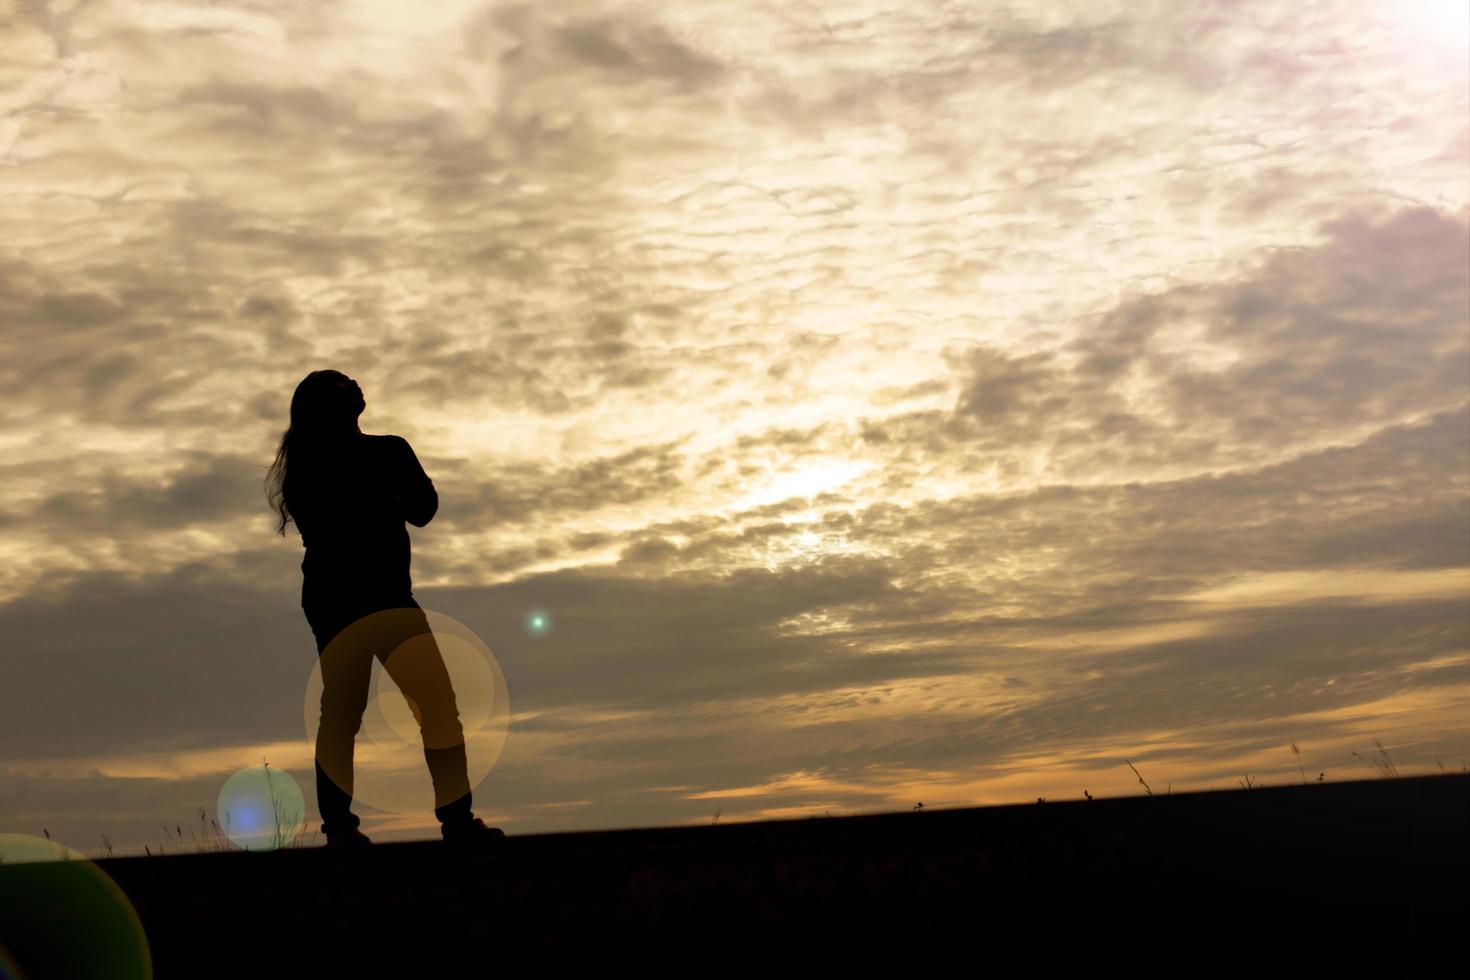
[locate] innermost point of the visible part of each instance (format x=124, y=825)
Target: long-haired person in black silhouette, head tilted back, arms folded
x=351, y=494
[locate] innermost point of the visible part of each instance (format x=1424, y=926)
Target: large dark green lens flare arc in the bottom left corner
x=62, y=916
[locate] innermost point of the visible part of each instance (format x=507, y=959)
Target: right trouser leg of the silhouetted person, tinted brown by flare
x=418, y=668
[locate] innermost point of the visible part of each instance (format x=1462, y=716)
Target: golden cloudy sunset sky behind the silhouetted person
x=946, y=403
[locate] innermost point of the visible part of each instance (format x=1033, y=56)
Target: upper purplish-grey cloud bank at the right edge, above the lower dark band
x=1313, y=346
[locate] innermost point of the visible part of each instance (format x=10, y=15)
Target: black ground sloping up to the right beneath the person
x=1369, y=875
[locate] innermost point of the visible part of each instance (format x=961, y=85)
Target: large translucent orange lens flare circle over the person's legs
x=402, y=685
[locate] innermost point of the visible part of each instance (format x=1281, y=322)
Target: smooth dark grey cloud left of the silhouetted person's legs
x=112, y=663
